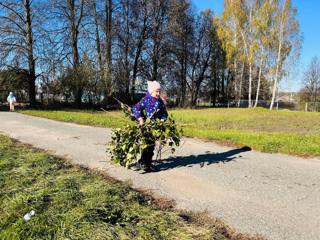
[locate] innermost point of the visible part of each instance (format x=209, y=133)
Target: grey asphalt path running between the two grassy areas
x=273, y=194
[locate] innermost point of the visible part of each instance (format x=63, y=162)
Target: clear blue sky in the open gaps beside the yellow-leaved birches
x=308, y=17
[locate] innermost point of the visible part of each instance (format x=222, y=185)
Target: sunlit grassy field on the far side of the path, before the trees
x=296, y=133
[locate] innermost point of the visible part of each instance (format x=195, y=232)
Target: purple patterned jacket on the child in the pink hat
x=154, y=108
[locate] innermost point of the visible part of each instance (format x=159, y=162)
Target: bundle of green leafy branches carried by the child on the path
x=128, y=143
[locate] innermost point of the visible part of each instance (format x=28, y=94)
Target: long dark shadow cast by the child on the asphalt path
x=202, y=159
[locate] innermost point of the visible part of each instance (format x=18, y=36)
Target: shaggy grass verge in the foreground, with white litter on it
x=74, y=203
